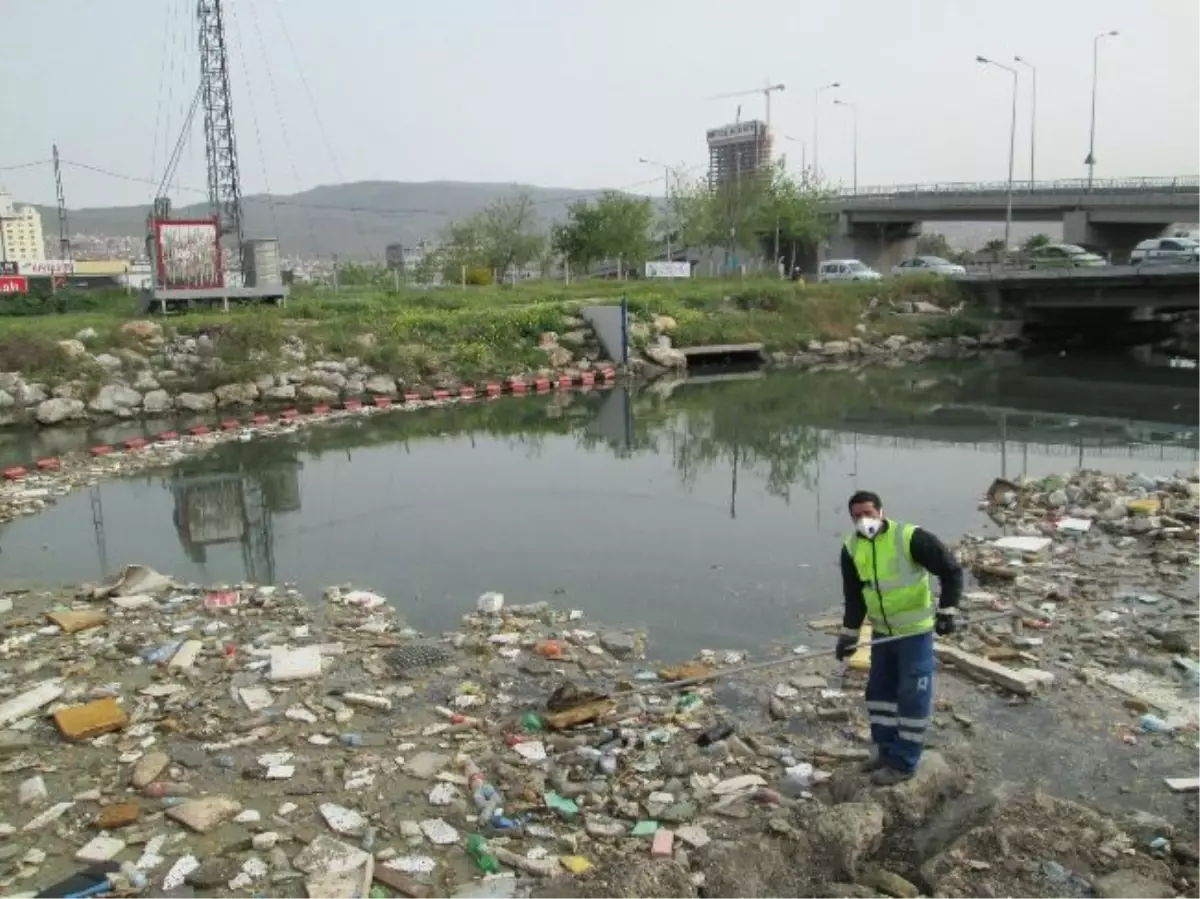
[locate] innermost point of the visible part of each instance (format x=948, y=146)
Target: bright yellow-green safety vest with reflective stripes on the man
x=899, y=600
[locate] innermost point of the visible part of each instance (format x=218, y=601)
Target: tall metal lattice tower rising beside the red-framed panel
x=220, y=147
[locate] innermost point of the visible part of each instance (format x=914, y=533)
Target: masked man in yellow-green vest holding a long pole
x=885, y=573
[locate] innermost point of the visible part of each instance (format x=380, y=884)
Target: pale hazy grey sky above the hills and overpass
x=571, y=93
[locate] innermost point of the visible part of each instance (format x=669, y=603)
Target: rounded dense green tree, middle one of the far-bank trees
x=615, y=226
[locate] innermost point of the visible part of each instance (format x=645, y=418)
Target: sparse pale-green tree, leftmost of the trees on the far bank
x=505, y=236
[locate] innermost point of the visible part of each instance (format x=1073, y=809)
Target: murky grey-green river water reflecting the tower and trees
x=707, y=513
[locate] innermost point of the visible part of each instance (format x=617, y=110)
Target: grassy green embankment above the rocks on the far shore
x=490, y=332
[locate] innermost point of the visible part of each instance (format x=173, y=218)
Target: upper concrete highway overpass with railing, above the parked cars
x=881, y=225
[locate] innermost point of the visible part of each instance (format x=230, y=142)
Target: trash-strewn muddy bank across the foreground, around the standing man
x=223, y=741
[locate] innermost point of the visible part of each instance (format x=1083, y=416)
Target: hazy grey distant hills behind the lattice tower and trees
x=356, y=221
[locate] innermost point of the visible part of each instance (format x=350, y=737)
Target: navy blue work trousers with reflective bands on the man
x=901, y=699
